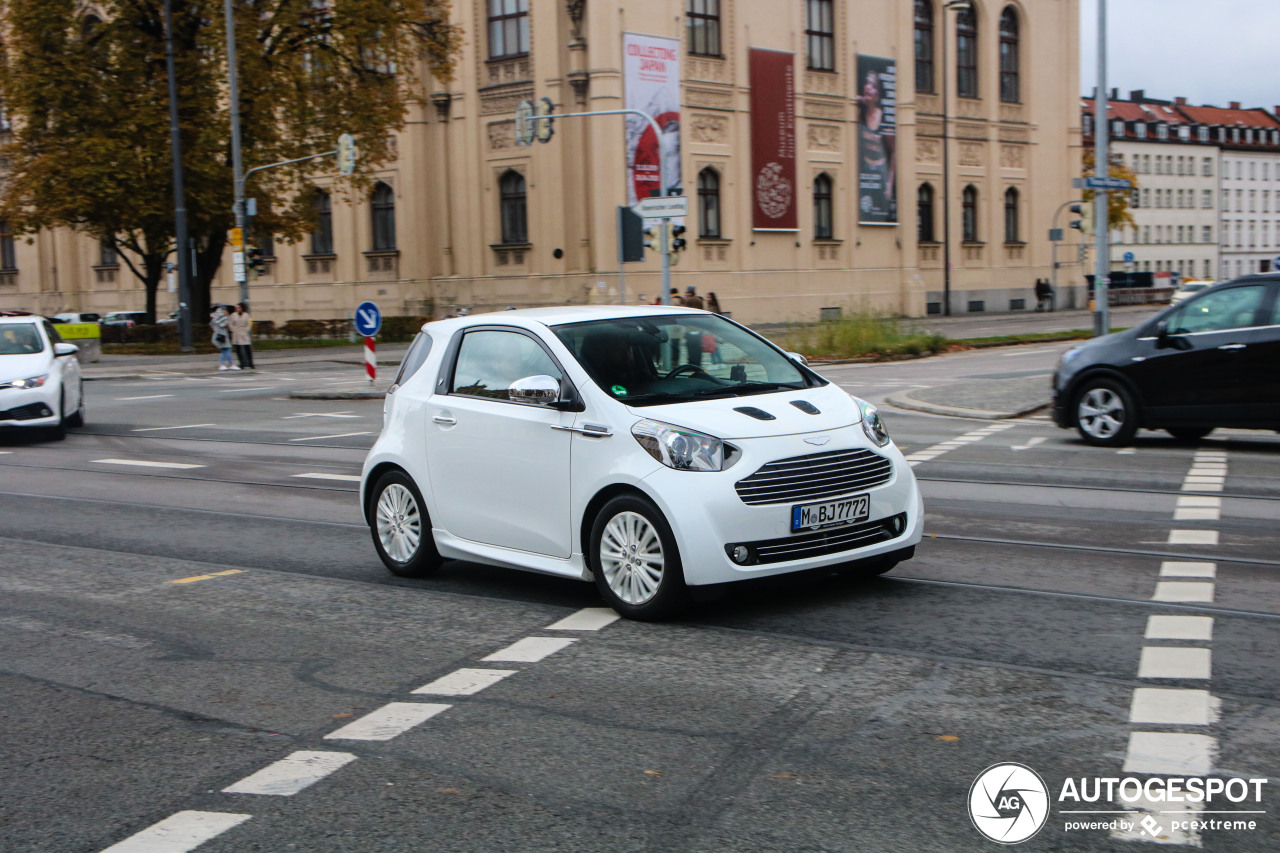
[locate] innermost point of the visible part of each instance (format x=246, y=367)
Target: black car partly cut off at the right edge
x=1213, y=361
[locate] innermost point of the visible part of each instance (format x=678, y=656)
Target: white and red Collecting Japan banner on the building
x=651, y=69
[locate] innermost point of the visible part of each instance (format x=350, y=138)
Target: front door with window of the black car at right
x=1199, y=372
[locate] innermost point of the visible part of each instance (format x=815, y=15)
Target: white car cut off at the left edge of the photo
x=40, y=378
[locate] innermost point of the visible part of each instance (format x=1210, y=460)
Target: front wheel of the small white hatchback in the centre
x=636, y=560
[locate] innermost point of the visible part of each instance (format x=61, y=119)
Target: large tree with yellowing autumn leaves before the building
x=88, y=99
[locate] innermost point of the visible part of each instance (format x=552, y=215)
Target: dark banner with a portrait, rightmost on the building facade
x=877, y=139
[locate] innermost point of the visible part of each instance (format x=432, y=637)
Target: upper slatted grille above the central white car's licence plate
x=815, y=477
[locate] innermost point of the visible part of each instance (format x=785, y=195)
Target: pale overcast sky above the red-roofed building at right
x=1208, y=52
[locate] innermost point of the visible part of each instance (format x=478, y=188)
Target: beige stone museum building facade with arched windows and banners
x=917, y=134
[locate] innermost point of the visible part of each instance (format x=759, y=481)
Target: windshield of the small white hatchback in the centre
x=678, y=358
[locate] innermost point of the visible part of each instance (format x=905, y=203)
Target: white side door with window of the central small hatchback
x=500, y=469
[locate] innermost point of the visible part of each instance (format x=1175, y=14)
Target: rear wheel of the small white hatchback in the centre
x=401, y=527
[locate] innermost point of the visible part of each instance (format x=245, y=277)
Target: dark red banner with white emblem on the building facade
x=774, y=140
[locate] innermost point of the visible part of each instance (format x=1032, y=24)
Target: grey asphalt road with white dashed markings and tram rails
x=807, y=714
